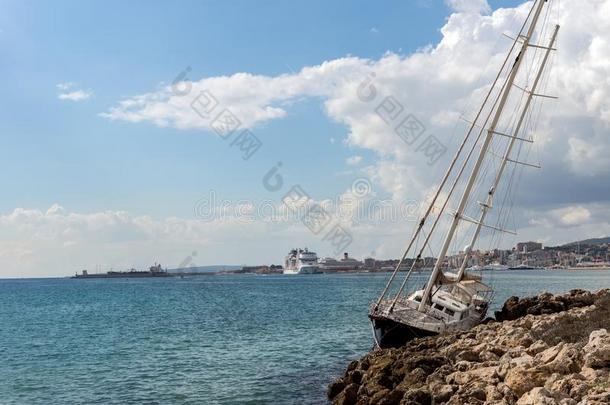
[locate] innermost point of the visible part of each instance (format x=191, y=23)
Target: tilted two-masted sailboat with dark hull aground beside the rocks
x=459, y=300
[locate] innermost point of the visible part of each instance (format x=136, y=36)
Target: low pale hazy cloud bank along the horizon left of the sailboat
x=59, y=242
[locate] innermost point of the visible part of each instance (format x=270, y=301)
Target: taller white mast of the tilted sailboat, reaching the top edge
x=477, y=167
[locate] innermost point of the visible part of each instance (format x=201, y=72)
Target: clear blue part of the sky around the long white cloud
x=64, y=152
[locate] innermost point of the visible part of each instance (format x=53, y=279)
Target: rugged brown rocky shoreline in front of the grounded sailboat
x=549, y=349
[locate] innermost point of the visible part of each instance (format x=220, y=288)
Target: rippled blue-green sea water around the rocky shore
x=212, y=340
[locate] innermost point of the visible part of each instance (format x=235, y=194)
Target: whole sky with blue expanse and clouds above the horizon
x=112, y=159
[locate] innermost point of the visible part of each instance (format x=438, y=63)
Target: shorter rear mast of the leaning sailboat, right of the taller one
x=486, y=206
